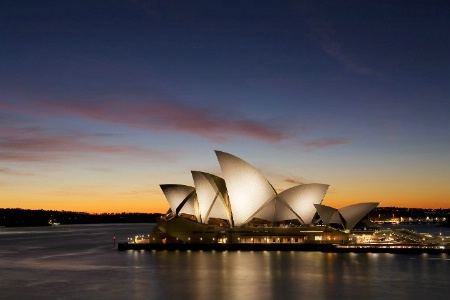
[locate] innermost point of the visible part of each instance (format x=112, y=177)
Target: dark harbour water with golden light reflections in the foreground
x=83, y=263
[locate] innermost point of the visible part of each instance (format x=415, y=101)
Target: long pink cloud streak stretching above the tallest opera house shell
x=165, y=117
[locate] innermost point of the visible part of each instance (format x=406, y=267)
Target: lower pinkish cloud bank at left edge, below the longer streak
x=33, y=144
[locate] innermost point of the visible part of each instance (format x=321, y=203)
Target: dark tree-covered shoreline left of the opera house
x=16, y=217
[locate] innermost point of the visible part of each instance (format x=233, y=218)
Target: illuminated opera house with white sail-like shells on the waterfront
x=244, y=208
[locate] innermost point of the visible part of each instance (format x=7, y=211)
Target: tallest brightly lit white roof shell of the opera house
x=248, y=190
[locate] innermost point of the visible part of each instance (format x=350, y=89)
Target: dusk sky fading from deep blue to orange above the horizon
x=102, y=101
